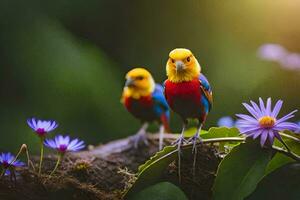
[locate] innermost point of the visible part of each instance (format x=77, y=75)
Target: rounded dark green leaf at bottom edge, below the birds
x=160, y=191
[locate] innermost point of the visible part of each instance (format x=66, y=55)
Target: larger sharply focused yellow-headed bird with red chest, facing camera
x=187, y=91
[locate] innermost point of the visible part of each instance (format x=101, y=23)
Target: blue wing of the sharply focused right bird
x=207, y=91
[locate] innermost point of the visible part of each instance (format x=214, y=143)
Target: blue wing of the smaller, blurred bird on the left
x=160, y=101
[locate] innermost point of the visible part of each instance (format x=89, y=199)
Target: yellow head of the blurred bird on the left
x=139, y=82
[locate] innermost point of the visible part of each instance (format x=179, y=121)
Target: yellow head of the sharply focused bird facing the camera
x=182, y=66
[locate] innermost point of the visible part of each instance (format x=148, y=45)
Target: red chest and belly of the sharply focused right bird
x=184, y=98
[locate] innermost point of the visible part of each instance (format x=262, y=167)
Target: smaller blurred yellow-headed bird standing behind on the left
x=145, y=100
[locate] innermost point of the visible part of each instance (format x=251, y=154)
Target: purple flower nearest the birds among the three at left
x=63, y=144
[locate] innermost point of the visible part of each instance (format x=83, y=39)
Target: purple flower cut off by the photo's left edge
x=6, y=162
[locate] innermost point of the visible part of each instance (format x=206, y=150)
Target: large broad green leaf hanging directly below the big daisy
x=240, y=171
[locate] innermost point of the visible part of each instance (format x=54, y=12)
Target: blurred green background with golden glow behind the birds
x=66, y=59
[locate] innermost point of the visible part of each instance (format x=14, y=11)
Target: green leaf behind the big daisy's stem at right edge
x=279, y=159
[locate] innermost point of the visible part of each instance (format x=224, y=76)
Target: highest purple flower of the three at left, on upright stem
x=42, y=127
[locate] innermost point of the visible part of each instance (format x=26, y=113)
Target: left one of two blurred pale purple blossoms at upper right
x=272, y=52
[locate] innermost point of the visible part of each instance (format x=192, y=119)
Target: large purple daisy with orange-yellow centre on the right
x=264, y=122
